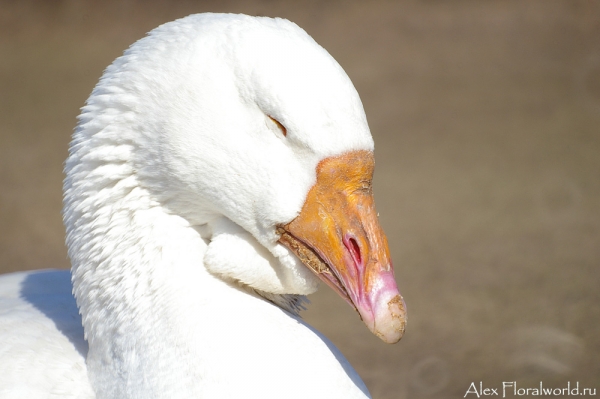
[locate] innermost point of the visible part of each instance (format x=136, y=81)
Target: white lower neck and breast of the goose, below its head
x=159, y=325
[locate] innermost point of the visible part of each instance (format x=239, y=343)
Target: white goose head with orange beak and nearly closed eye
x=253, y=136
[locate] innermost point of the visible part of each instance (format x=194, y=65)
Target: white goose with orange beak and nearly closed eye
x=220, y=169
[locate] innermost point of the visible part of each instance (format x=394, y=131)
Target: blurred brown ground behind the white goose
x=486, y=119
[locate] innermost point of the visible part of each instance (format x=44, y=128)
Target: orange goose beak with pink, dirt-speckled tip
x=338, y=236
